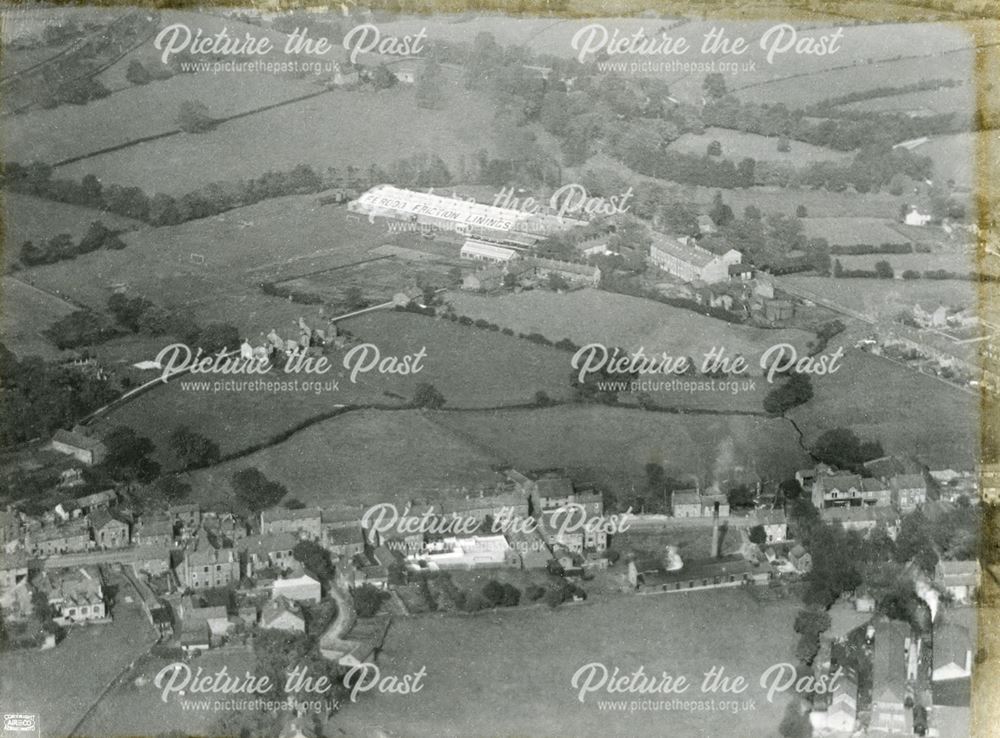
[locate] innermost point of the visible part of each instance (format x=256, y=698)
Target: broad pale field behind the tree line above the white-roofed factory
x=324, y=131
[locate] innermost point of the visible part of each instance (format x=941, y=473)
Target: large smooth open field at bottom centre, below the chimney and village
x=468, y=692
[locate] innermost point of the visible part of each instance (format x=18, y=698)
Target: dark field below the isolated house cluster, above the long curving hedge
x=472, y=368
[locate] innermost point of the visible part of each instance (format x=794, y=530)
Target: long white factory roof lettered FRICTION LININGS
x=467, y=217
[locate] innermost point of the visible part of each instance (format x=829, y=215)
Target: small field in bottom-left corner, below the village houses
x=61, y=684
